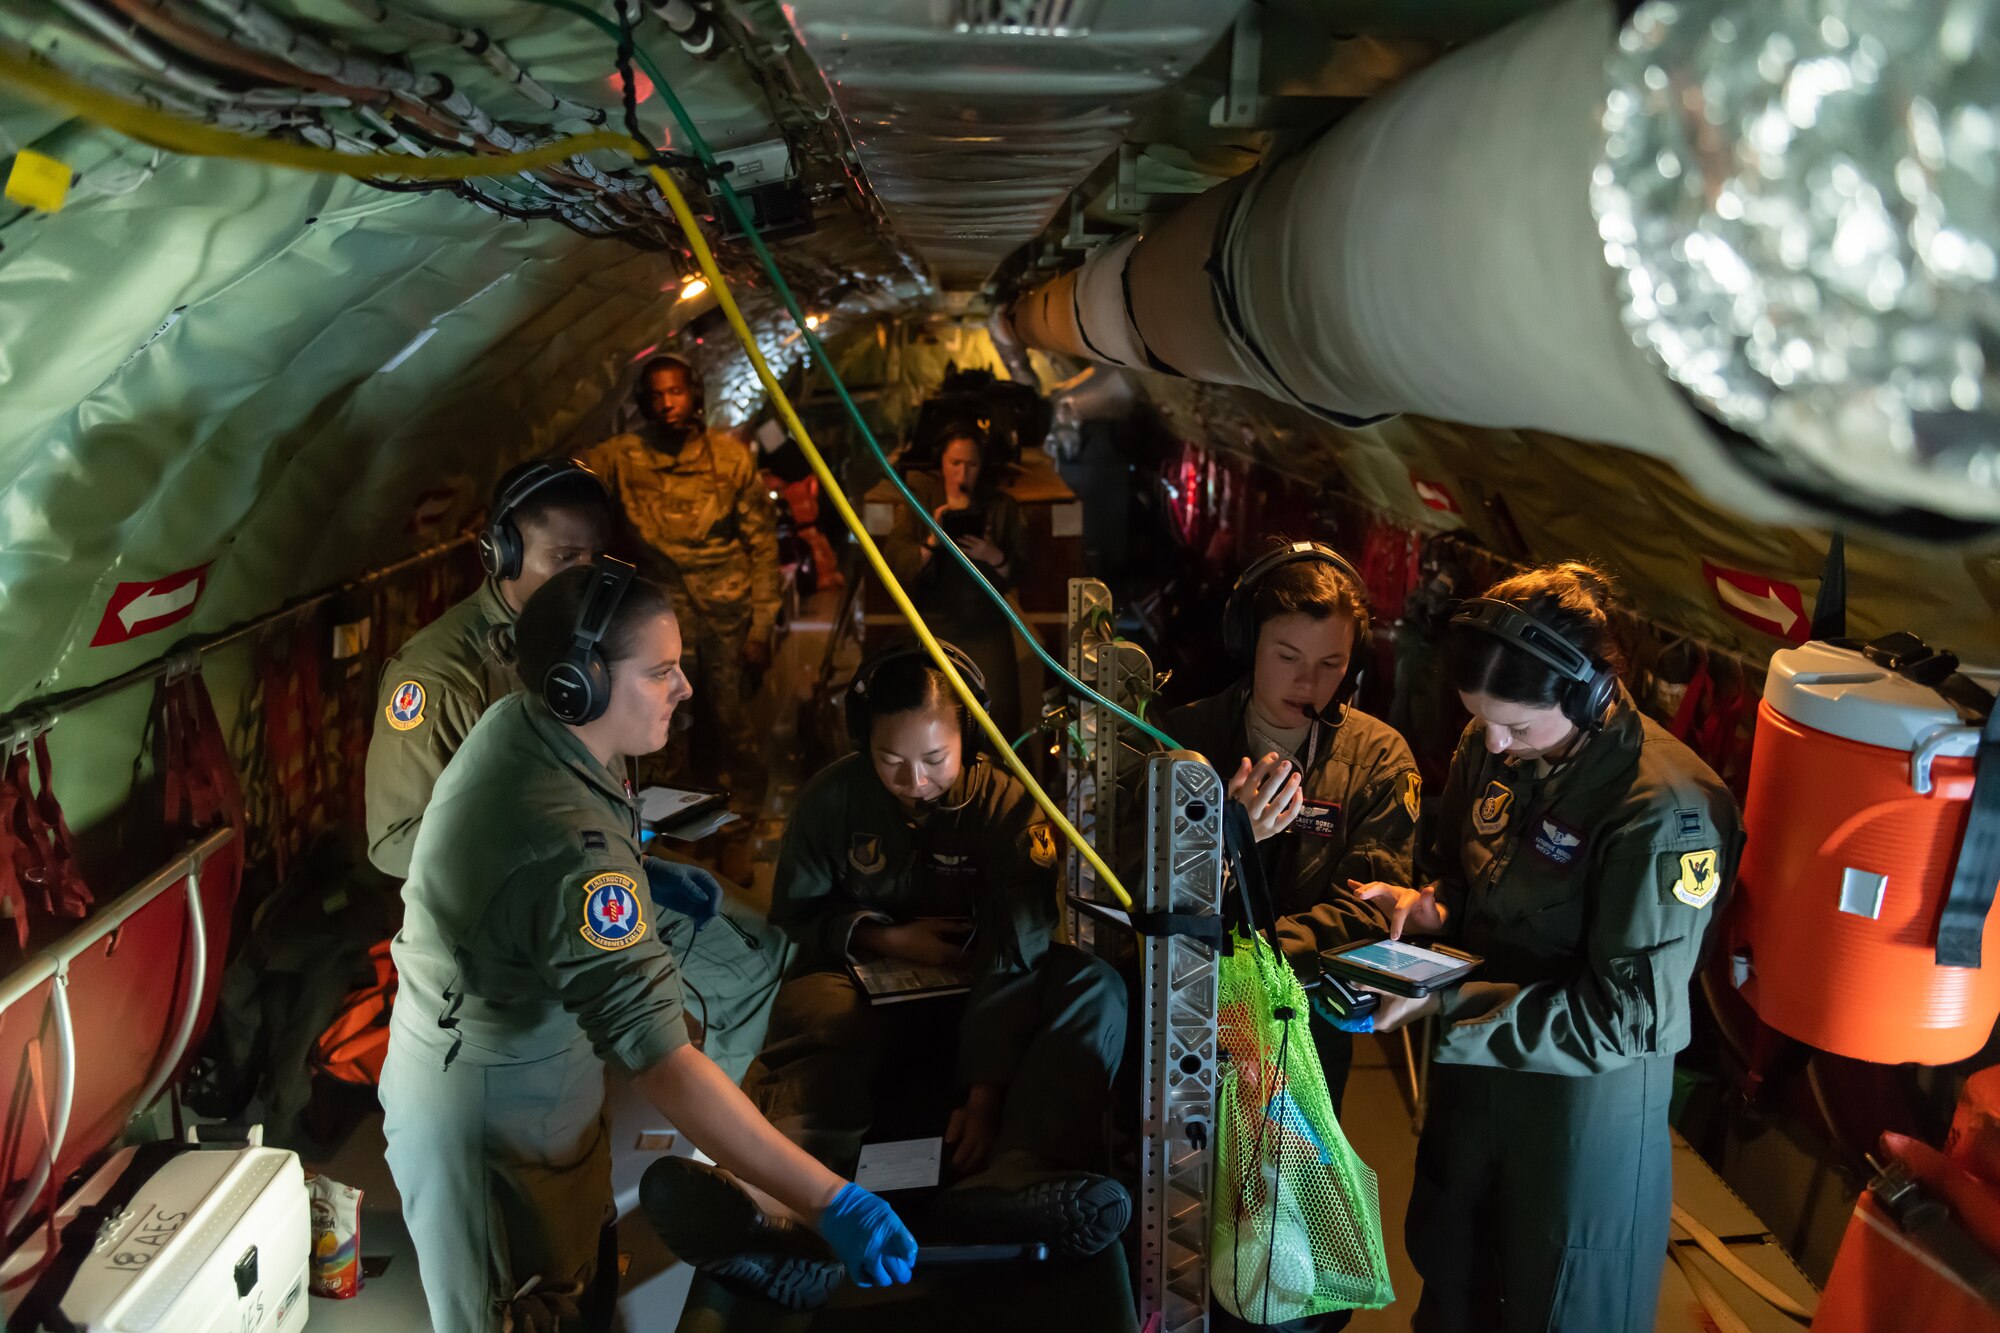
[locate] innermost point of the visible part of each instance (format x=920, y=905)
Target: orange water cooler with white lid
x=1859, y=798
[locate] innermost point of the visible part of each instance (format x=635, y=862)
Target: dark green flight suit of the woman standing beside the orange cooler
x=1543, y=1176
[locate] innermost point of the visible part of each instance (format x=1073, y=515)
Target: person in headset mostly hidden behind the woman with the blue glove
x=549, y=517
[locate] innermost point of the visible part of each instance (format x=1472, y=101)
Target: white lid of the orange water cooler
x=1843, y=694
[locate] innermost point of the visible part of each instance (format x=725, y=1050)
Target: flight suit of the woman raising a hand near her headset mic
x=1359, y=822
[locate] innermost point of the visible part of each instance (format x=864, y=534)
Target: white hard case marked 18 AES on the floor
x=215, y=1242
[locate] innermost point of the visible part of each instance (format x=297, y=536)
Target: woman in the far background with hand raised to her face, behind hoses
x=969, y=505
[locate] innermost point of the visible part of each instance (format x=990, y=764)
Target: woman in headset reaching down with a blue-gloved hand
x=529, y=960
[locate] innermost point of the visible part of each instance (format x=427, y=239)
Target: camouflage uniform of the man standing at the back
x=705, y=527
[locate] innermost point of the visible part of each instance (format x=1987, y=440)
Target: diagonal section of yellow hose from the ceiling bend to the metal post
x=861, y=533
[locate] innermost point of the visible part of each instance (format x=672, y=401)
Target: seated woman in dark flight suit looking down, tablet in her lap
x=925, y=854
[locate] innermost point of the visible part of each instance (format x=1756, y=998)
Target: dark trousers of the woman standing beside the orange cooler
x=1541, y=1202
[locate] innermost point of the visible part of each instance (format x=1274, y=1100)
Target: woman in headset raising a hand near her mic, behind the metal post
x=1333, y=794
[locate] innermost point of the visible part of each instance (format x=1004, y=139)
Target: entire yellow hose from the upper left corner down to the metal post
x=181, y=135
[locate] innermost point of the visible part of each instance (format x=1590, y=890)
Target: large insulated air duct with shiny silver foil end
x=1747, y=239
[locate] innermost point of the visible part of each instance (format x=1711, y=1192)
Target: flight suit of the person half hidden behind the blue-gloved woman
x=457, y=676
